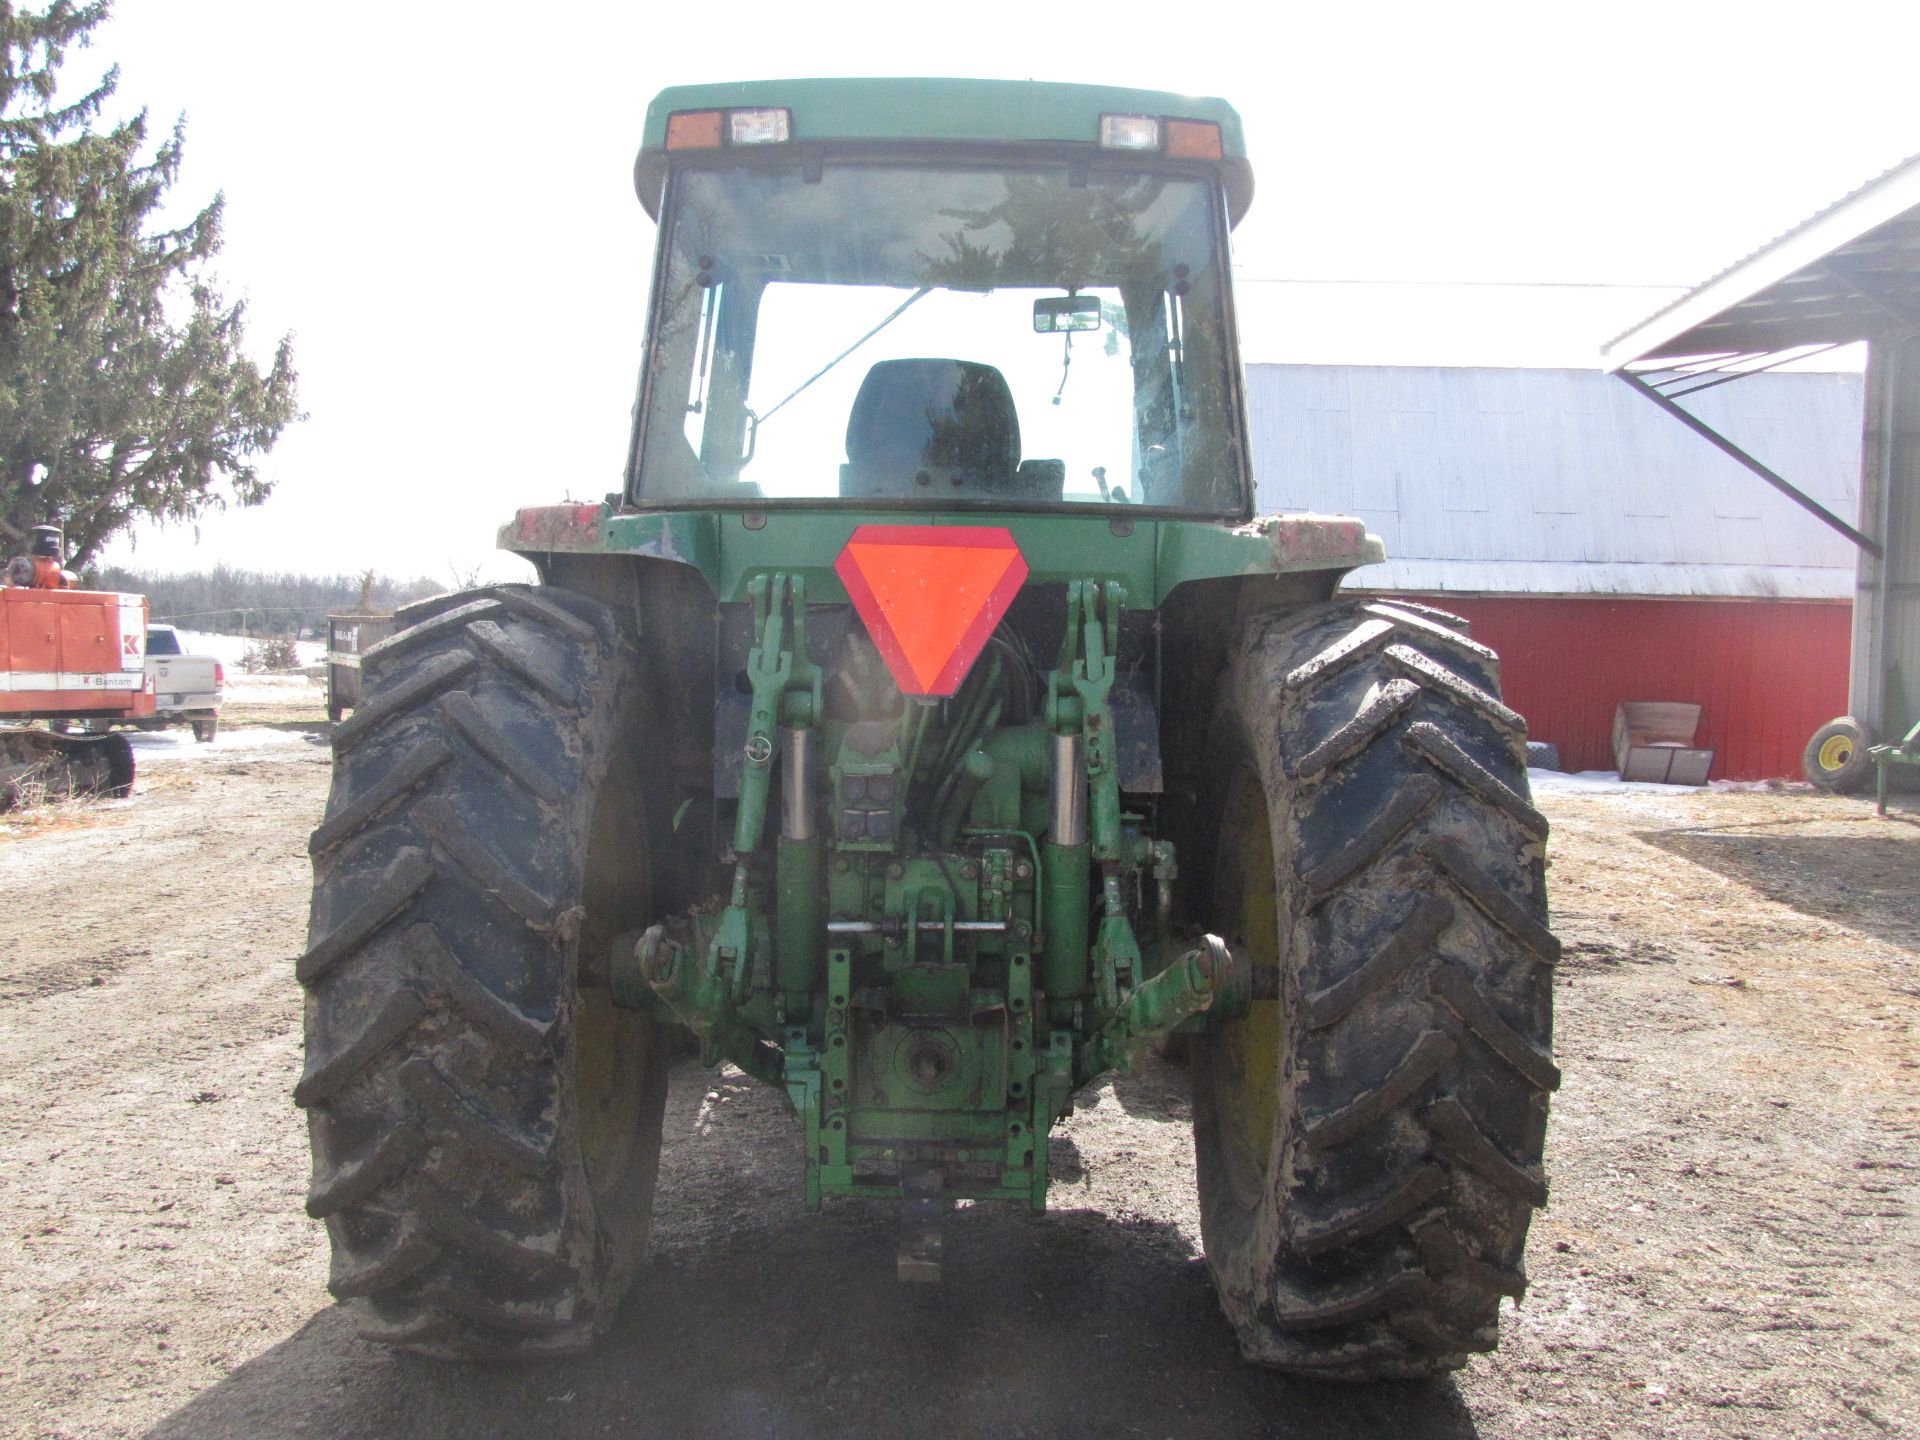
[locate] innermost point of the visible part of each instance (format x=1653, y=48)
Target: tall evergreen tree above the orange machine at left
x=124, y=385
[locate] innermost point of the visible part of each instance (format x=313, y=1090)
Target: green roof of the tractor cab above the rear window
x=921, y=110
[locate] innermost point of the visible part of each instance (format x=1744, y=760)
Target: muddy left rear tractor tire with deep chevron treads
x=485, y=1128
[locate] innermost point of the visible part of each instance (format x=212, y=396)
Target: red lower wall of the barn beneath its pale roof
x=1765, y=673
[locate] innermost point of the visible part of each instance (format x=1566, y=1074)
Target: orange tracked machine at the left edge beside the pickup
x=68, y=658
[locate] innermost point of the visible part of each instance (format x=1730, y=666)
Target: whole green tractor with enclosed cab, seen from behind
x=926, y=729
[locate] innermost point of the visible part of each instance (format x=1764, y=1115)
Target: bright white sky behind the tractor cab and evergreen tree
x=437, y=199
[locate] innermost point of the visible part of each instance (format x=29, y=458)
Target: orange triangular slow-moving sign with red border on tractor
x=930, y=596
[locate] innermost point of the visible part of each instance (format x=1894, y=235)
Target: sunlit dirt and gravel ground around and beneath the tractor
x=1731, y=1247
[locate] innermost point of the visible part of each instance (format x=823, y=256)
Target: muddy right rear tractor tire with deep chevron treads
x=1370, y=1138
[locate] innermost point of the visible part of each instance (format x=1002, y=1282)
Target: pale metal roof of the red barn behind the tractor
x=1562, y=483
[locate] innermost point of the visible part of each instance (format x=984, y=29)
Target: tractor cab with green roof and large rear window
x=865, y=304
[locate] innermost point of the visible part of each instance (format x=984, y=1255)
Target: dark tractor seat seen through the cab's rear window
x=924, y=429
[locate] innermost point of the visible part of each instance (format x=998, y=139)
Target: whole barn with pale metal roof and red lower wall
x=1606, y=552
